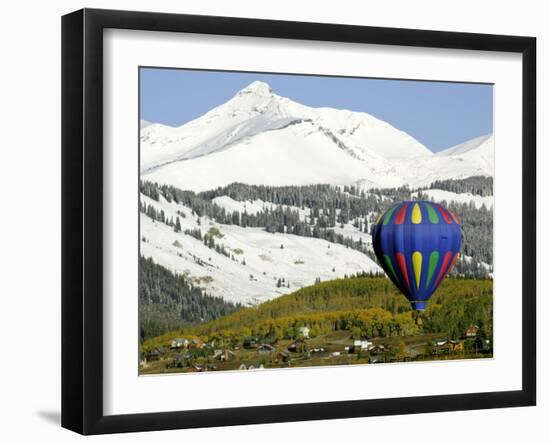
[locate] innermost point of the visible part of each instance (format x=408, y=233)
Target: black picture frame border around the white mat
x=82, y=220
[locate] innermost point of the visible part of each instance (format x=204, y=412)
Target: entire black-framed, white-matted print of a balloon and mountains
x=270, y=221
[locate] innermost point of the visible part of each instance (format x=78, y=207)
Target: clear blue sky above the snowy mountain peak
x=438, y=114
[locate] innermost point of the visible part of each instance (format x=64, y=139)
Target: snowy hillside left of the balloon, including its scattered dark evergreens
x=239, y=257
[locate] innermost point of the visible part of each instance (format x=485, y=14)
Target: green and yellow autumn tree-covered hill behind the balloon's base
x=368, y=304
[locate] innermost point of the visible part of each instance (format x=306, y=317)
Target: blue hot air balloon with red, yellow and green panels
x=417, y=243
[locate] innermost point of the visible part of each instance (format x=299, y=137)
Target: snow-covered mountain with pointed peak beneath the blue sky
x=259, y=137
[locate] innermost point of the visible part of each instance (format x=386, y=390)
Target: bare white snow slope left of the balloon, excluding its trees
x=300, y=261
